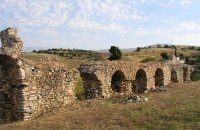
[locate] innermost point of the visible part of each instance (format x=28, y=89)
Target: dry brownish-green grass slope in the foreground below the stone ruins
x=177, y=108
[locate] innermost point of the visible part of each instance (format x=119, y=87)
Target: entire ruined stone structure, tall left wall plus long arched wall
x=29, y=88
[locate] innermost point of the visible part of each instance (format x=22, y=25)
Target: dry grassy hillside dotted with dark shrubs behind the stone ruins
x=74, y=57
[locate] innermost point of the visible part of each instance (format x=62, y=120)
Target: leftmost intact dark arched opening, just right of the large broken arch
x=117, y=81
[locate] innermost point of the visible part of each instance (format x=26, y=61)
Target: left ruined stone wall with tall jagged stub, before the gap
x=29, y=88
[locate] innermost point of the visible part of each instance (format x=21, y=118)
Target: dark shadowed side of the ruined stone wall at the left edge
x=11, y=90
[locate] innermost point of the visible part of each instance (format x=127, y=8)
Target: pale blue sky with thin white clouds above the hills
x=98, y=24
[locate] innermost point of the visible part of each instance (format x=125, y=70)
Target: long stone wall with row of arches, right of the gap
x=104, y=79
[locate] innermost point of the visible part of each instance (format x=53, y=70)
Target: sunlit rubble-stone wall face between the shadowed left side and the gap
x=49, y=85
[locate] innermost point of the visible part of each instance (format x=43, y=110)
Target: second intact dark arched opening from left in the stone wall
x=140, y=83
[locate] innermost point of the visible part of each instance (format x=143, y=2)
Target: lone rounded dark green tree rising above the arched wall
x=115, y=53
